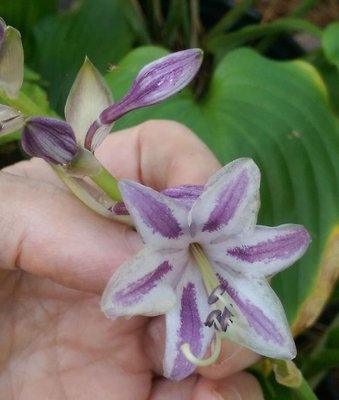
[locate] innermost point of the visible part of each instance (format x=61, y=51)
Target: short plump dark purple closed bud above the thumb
x=50, y=139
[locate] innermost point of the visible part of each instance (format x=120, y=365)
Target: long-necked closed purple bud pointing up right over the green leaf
x=154, y=83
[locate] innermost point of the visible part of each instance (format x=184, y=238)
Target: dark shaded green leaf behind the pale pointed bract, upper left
x=97, y=29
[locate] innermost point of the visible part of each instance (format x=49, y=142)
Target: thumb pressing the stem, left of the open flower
x=44, y=230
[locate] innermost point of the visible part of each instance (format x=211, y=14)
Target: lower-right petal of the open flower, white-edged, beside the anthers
x=258, y=318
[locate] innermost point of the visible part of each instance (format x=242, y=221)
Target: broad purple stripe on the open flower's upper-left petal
x=154, y=213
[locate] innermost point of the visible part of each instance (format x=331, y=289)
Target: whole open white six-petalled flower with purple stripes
x=204, y=265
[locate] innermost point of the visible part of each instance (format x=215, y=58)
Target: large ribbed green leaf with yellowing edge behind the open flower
x=278, y=114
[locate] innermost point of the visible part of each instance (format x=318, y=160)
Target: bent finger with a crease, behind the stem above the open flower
x=159, y=154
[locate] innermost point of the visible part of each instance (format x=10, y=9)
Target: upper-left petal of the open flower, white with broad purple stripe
x=159, y=220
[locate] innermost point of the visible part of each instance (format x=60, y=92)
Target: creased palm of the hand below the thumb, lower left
x=59, y=345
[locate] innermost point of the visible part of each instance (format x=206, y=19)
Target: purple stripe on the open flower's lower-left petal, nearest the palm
x=136, y=290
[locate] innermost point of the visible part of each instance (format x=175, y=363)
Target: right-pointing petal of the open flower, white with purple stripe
x=266, y=252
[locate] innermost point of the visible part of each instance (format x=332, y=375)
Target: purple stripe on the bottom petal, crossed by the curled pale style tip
x=190, y=331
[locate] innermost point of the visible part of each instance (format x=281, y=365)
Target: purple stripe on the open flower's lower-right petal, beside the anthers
x=254, y=316
